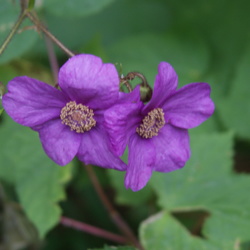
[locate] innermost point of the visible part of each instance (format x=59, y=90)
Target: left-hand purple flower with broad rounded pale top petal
x=69, y=121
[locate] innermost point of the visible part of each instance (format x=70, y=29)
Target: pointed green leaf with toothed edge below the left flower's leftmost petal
x=38, y=181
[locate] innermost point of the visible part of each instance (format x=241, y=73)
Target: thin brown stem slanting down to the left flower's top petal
x=40, y=26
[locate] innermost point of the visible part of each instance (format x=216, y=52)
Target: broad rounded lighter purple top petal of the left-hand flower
x=85, y=79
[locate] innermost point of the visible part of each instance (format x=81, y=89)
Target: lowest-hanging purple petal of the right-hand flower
x=141, y=161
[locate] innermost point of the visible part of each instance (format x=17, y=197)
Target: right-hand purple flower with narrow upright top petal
x=156, y=133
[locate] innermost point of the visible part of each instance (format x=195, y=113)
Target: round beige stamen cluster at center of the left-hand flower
x=78, y=117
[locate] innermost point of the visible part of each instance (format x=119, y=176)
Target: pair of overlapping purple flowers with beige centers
x=90, y=119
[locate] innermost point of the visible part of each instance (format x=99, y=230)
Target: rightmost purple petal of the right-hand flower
x=189, y=106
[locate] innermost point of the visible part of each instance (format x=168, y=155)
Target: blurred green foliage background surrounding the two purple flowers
x=206, y=205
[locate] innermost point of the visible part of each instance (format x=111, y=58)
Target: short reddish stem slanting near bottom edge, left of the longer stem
x=92, y=230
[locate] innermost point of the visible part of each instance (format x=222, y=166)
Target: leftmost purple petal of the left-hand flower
x=31, y=102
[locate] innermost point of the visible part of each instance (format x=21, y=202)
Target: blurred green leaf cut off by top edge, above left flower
x=75, y=8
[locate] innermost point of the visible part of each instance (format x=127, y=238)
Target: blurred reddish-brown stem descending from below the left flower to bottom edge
x=115, y=216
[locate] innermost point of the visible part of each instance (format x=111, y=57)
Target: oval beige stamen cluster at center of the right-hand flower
x=151, y=124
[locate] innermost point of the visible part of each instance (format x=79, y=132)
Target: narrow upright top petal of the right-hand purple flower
x=166, y=82
